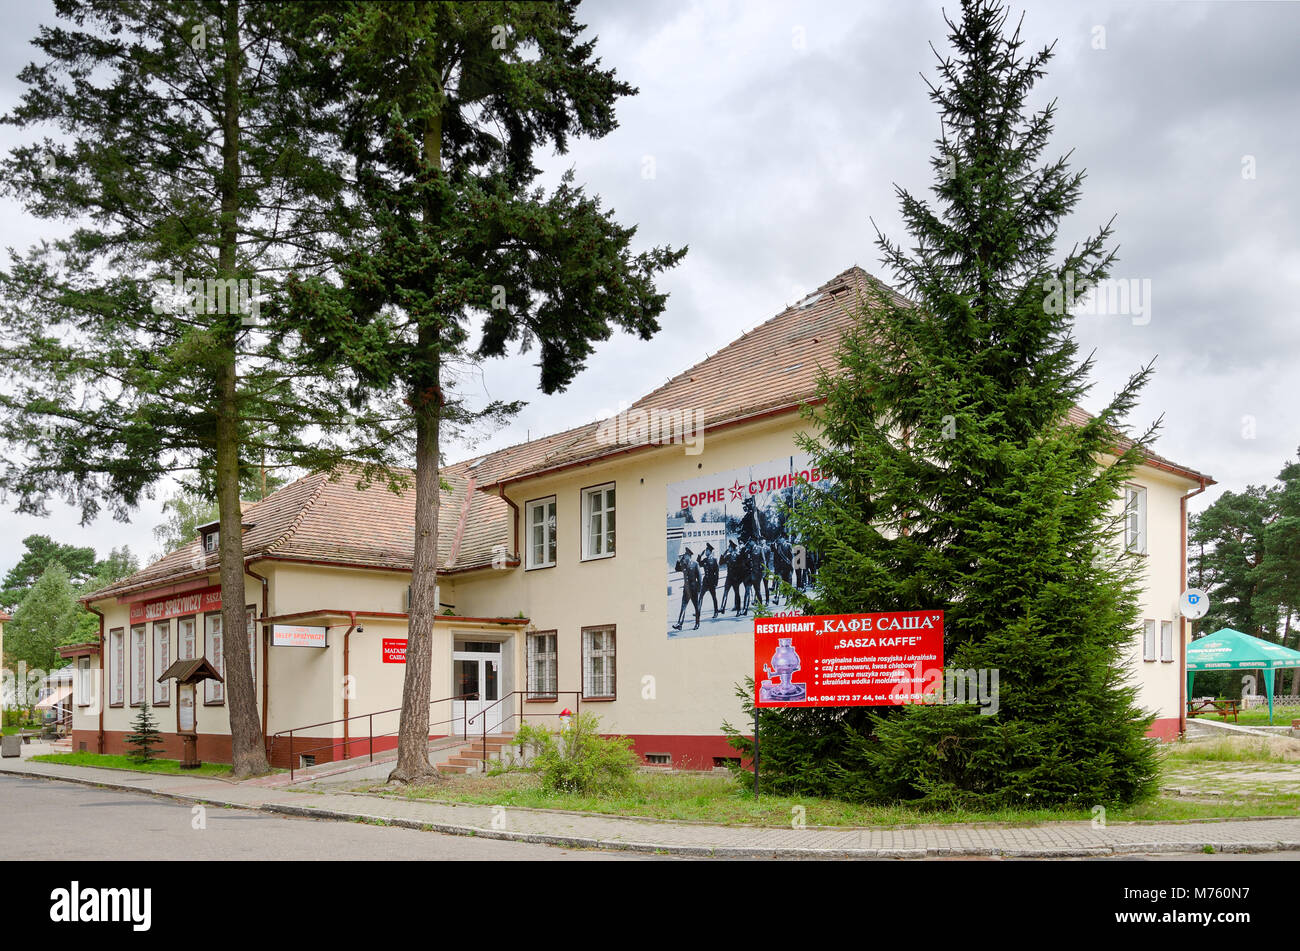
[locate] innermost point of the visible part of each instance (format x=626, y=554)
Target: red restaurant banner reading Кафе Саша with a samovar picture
x=848, y=661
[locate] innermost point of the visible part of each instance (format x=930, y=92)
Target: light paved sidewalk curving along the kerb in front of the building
x=1056, y=840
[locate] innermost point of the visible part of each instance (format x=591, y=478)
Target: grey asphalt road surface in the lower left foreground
x=60, y=820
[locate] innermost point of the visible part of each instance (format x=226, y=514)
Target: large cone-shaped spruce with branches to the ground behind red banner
x=959, y=481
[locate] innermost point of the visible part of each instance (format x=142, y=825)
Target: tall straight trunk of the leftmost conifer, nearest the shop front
x=249, y=753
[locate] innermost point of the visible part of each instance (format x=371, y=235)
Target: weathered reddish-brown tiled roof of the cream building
x=772, y=368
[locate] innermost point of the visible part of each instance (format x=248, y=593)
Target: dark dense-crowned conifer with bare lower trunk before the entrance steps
x=445, y=108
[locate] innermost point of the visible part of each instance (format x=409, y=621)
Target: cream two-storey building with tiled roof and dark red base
x=561, y=577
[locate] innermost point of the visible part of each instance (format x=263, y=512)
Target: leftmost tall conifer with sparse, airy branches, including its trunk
x=145, y=344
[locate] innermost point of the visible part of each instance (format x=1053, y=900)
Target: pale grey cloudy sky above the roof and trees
x=769, y=136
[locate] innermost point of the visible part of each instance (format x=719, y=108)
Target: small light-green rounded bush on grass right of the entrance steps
x=579, y=759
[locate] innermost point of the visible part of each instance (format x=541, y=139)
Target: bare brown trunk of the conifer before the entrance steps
x=427, y=403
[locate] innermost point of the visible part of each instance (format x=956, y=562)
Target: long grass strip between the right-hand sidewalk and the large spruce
x=718, y=800
